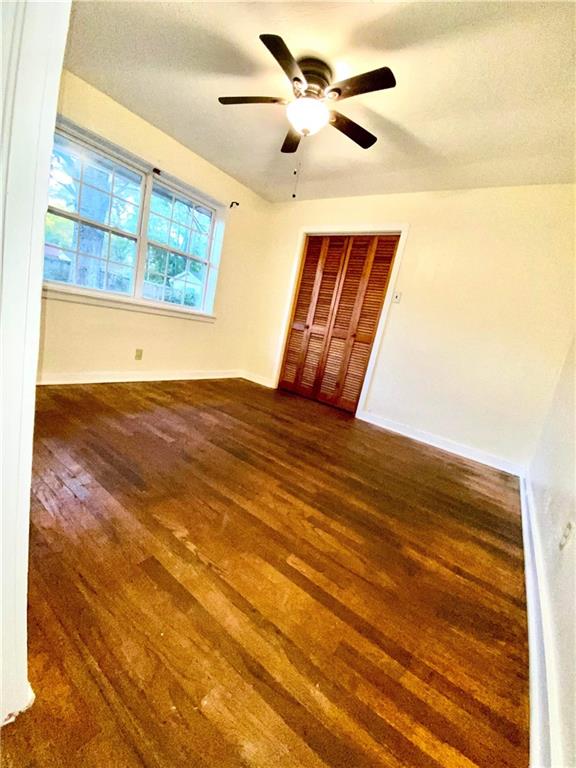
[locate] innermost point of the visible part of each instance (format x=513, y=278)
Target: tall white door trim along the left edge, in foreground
x=33, y=39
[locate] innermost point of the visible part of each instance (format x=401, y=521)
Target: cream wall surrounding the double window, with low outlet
x=87, y=343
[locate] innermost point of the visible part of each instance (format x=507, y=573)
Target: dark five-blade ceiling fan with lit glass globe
x=314, y=93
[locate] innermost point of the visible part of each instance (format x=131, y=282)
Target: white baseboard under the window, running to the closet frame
x=112, y=377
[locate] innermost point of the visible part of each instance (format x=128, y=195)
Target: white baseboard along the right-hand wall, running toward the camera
x=540, y=733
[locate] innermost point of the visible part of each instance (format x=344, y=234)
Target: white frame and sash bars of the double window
x=56, y=290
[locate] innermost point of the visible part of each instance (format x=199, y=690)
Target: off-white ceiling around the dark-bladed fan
x=484, y=95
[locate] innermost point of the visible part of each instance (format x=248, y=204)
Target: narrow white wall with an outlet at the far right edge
x=552, y=505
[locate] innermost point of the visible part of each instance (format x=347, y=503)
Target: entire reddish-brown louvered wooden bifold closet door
x=343, y=281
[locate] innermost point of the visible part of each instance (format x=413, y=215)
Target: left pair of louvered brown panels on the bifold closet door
x=312, y=312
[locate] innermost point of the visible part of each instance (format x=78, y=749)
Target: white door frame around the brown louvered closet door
x=380, y=229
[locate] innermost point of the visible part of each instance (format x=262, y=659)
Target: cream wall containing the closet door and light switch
x=470, y=355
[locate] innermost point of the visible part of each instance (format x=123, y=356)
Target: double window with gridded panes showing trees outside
x=117, y=229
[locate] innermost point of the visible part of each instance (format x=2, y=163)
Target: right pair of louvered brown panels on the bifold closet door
x=358, y=305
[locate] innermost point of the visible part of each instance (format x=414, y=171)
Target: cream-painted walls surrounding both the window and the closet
x=469, y=356
